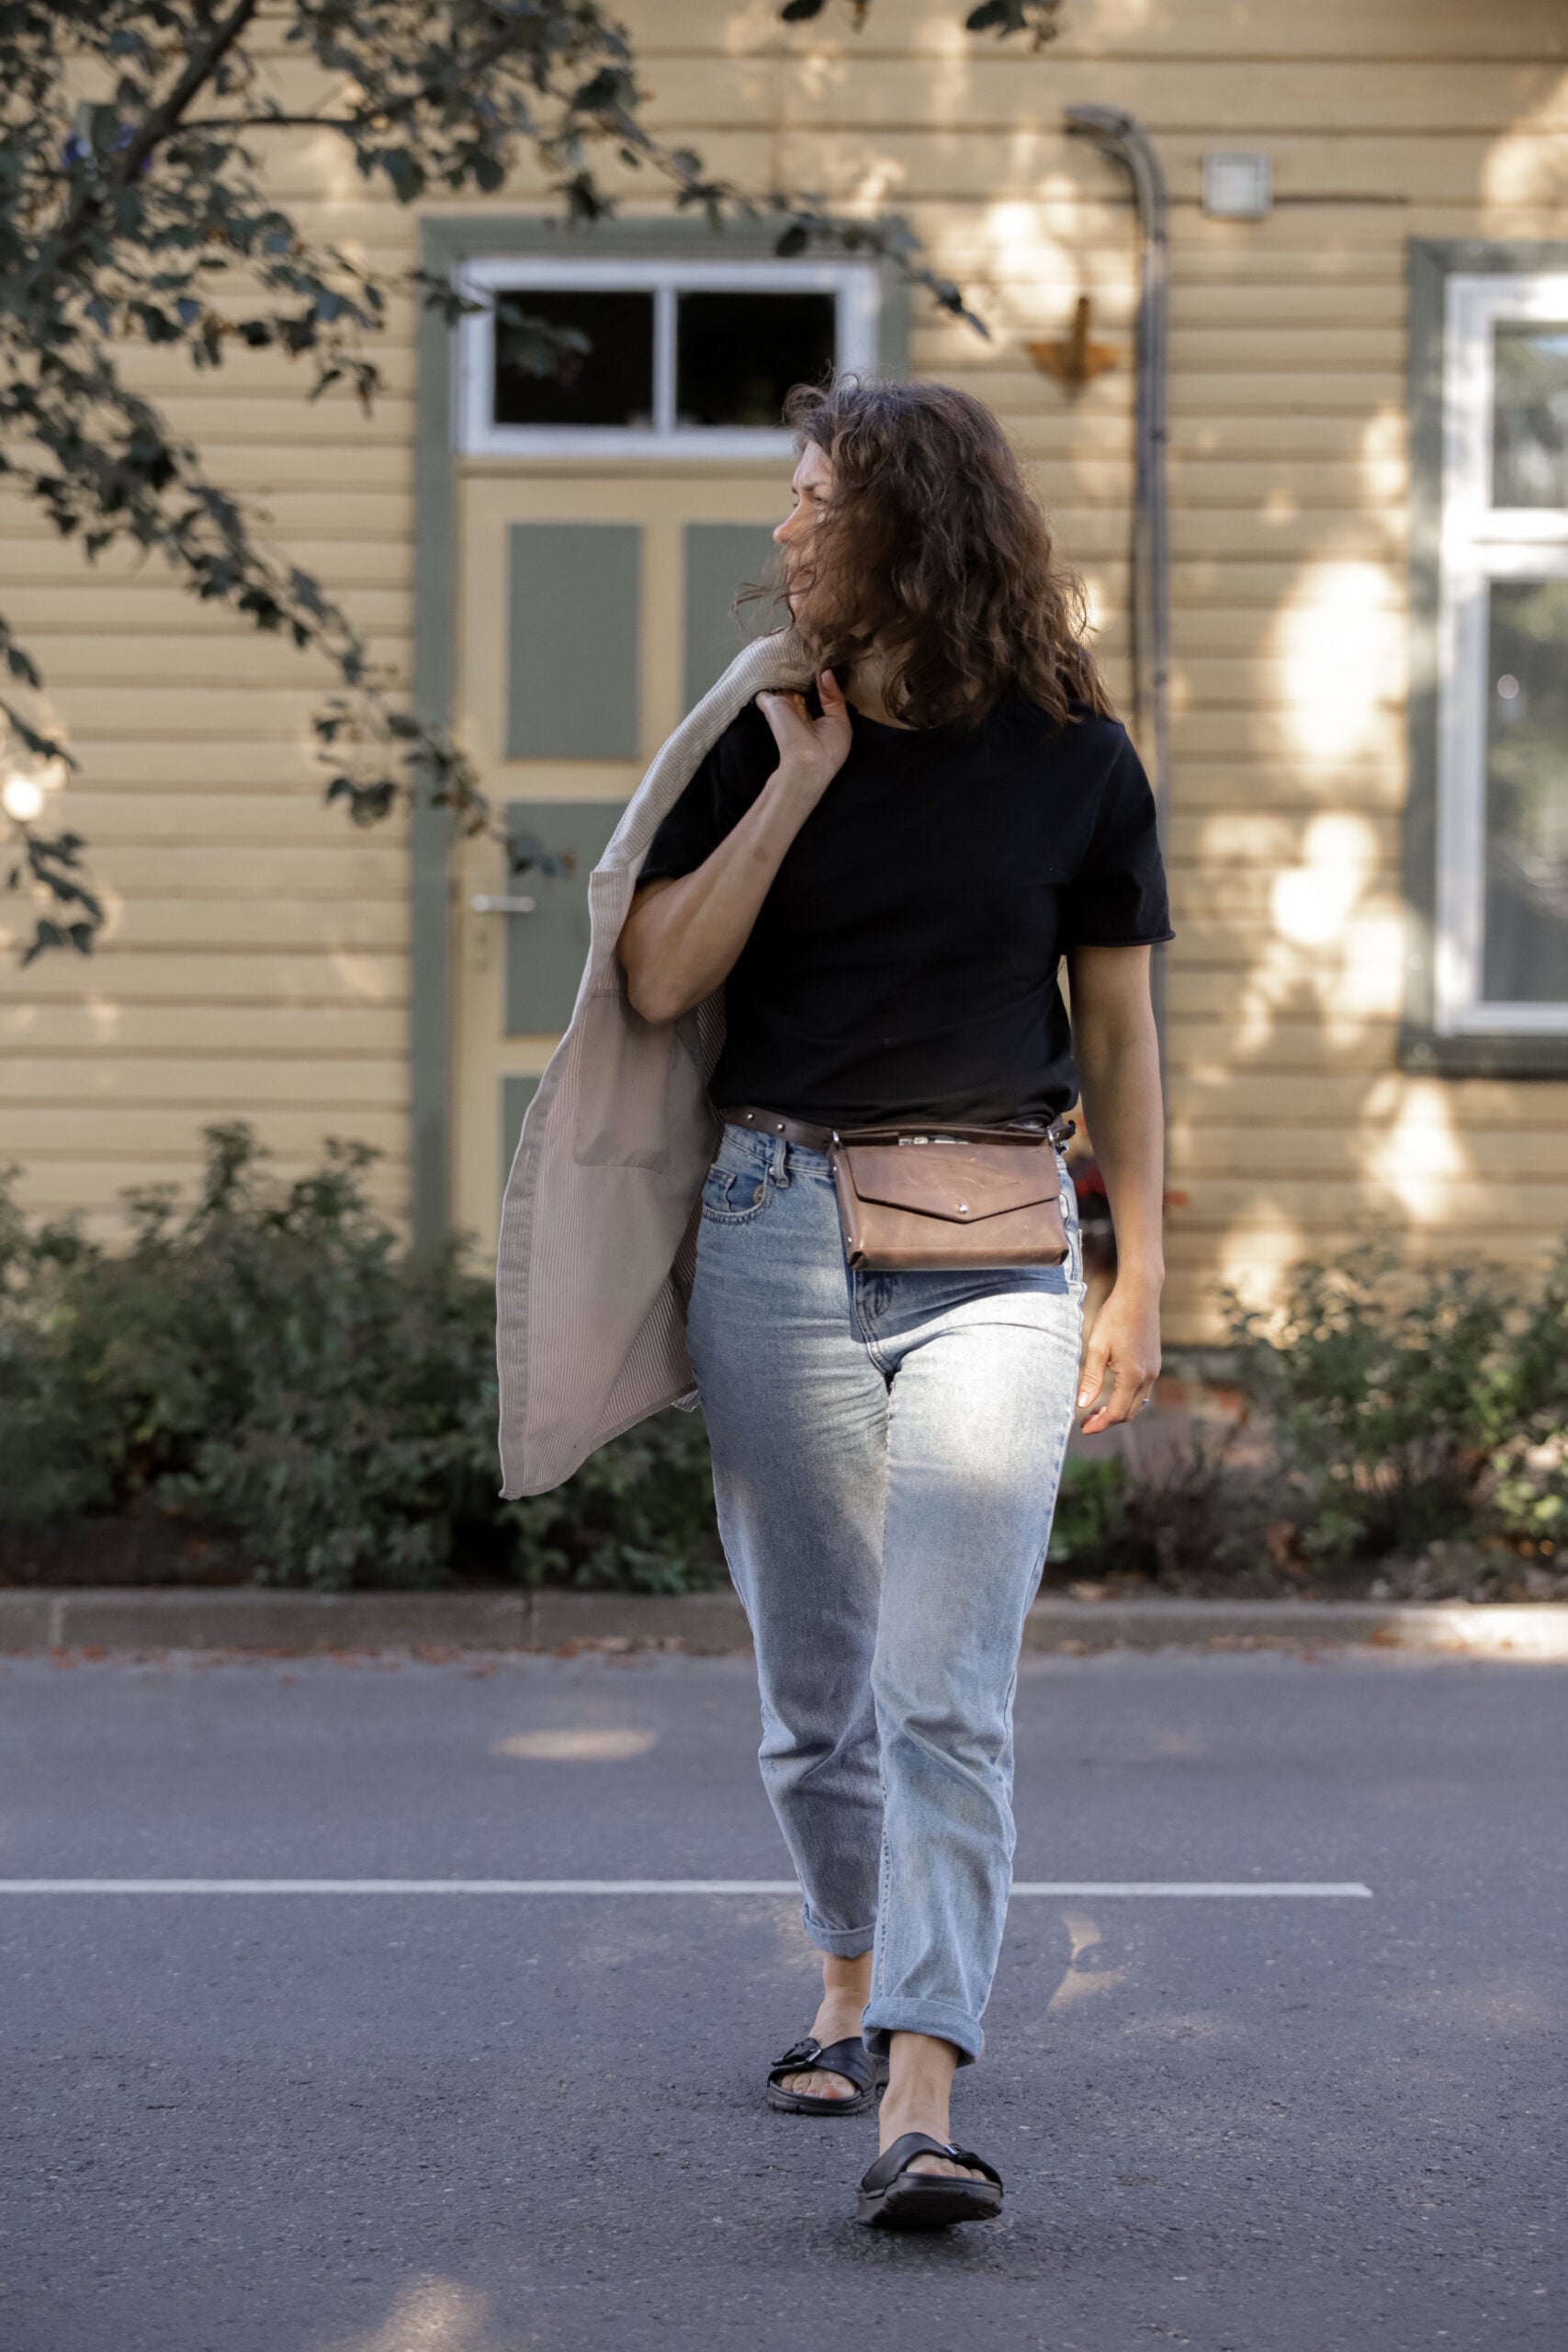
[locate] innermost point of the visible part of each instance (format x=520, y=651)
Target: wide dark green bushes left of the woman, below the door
x=274, y=1368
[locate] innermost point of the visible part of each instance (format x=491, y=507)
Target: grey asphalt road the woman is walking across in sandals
x=436, y=2123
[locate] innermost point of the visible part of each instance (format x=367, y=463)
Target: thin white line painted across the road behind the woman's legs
x=643, y=1887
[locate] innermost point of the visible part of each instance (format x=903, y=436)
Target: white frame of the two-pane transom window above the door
x=855, y=283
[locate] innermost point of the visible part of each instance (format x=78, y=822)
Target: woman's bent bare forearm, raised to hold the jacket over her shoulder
x=685, y=937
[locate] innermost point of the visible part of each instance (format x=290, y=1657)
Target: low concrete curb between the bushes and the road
x=257, y=1619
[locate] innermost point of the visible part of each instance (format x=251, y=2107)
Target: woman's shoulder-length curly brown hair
x=937, y=552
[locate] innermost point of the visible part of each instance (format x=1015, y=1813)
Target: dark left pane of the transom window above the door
x=610, y=385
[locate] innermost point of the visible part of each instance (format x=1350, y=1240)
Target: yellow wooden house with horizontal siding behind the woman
x=1367, y=465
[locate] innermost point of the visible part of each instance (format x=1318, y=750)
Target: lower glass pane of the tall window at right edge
x=1527, y=796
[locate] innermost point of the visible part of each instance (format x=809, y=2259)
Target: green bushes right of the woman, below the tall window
x=1391, y=1417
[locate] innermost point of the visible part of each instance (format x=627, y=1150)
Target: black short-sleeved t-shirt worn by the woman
x=906, y=956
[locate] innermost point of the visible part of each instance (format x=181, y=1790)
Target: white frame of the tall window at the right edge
x=1480, y=544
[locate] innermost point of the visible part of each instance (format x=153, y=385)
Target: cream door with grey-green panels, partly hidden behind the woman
x=594, y=610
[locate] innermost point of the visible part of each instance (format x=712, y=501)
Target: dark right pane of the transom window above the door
x=739, y=354
